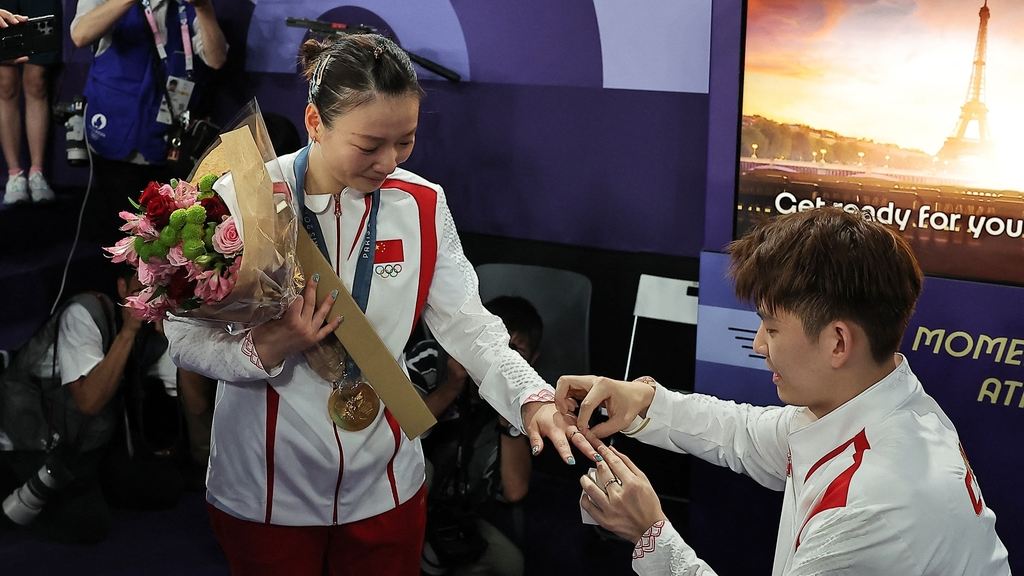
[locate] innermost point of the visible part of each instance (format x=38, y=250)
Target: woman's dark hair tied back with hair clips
x=354, y=69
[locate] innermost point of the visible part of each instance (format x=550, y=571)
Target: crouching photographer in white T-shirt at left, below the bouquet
x=89, y=421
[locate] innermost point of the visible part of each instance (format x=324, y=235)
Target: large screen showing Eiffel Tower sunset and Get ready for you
x=908, y=111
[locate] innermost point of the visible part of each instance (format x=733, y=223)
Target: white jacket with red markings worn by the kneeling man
x=880, y=486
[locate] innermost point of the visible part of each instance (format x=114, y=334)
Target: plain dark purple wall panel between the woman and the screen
x=617, y=170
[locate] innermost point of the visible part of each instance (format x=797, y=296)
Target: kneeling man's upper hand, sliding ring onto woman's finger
x=623, y=400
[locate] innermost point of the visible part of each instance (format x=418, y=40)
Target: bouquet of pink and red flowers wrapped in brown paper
x=221, y=248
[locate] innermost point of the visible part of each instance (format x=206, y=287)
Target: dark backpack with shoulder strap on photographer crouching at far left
x=37, y=413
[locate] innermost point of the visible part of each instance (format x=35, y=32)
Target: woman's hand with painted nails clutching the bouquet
x=303, y=326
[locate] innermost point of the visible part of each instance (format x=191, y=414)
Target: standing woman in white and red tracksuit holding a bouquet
x=288, y=489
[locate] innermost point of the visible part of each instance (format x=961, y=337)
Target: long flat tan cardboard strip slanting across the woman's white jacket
x=366, y=348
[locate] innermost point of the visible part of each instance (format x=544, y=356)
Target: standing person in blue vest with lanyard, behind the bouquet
x=141, y=48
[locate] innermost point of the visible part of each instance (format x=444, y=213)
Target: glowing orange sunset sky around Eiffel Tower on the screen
x=891, y=71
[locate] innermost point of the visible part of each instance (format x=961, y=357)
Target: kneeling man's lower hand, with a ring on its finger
x=623, y=501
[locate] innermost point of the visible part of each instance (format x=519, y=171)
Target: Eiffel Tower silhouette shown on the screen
x=960, y=146
